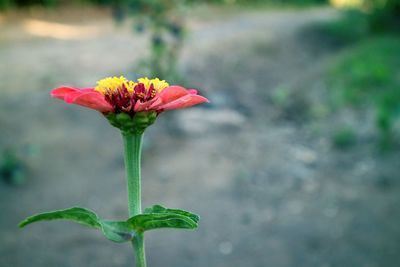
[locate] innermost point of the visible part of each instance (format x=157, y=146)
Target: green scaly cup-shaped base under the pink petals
x=132, y=124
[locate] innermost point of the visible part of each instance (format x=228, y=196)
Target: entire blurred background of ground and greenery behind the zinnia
x=294, y=163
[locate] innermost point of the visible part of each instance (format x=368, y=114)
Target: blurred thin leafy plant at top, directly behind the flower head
x=163, y=20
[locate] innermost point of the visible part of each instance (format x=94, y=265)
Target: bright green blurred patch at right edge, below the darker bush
x=369, y=74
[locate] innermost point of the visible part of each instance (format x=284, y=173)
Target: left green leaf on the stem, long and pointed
x=117, y=231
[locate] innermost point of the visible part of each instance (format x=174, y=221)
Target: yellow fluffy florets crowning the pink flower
x=111, y=85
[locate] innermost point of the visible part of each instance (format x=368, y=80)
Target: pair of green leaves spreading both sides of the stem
x=121, y=231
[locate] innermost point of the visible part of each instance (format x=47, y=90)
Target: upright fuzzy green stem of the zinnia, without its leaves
x=132, y=149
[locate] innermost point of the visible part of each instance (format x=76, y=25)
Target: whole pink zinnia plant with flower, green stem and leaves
x=131, y=107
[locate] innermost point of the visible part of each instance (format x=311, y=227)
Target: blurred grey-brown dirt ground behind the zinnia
x=261, y=172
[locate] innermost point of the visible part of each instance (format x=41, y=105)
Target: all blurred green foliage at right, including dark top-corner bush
x=367, y=73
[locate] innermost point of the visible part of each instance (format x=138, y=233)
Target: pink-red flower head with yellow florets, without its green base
x=117, y=94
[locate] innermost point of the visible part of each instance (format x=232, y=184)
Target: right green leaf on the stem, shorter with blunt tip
x=160, y=217
